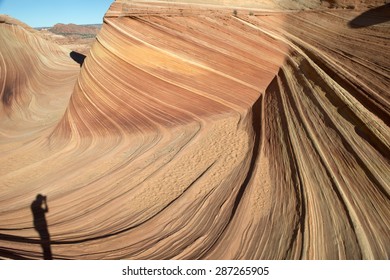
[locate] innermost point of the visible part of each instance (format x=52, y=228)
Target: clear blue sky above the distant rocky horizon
x=42, y=13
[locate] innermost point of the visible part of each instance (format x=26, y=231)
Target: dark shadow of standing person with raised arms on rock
x=39, y=208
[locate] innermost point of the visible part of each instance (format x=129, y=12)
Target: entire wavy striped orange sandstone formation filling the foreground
x=193, y=133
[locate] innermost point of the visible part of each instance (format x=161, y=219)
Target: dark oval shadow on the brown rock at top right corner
x=371, y=17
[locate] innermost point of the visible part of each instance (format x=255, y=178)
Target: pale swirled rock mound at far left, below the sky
x=36, y=80
